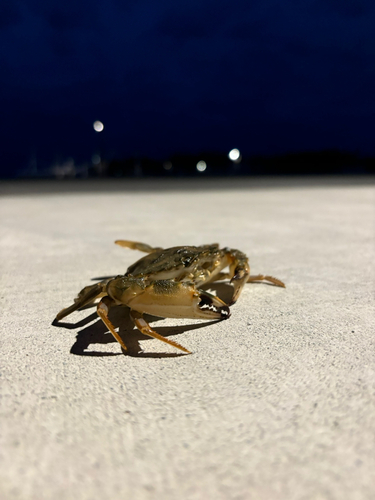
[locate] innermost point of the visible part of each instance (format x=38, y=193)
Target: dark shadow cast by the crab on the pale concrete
x=97, y=333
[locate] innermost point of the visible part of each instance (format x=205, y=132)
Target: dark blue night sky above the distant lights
x=267, y=76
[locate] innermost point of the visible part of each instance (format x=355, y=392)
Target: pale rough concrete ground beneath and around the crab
x=275, y=402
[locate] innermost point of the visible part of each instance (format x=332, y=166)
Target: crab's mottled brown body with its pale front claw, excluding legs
x=165, y=282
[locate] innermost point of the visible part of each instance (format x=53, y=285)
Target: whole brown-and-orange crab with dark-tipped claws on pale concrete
x=166, y=283
